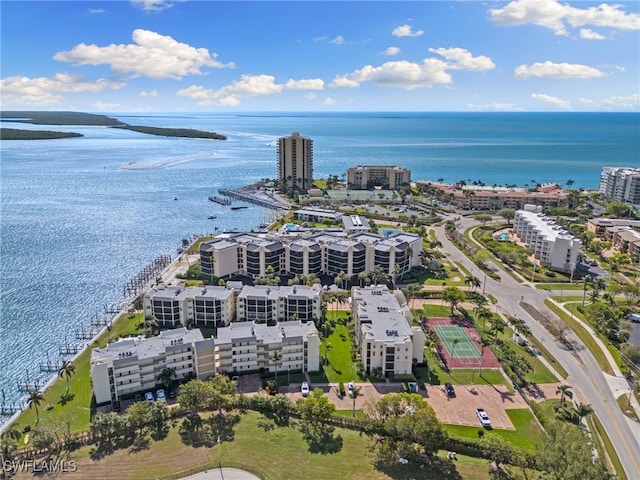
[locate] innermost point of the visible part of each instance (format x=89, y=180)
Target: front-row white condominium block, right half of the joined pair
x=247, y=347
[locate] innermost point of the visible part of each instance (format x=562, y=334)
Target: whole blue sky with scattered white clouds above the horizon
x=161, y=56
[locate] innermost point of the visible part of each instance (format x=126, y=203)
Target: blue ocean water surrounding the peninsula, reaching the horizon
x=80, y=217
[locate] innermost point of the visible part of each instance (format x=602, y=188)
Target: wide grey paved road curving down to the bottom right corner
x=584, y=372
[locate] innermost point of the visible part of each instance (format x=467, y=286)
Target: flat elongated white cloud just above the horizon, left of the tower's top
x=248, y=86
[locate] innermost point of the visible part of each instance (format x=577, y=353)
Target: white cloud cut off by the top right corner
x=554, y=16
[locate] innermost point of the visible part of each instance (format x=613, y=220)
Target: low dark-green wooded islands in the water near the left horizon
x=85, y=119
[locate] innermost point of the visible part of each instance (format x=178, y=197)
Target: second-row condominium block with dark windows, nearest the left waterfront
x=200, y=306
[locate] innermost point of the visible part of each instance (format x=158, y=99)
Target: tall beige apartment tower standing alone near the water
x=295, y=161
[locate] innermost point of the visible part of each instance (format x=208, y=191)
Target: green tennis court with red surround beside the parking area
x=460, y=344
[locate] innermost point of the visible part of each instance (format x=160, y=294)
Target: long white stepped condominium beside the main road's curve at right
x=553, y=246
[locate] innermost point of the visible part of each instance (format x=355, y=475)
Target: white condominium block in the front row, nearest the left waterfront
x=133, y=365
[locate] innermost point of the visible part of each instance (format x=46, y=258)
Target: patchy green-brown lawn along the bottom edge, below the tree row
x=263, y=453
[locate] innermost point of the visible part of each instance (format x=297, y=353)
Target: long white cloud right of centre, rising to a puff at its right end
x=409, y=75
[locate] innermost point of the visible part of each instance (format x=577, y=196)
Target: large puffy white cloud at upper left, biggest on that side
x=151, y=55
